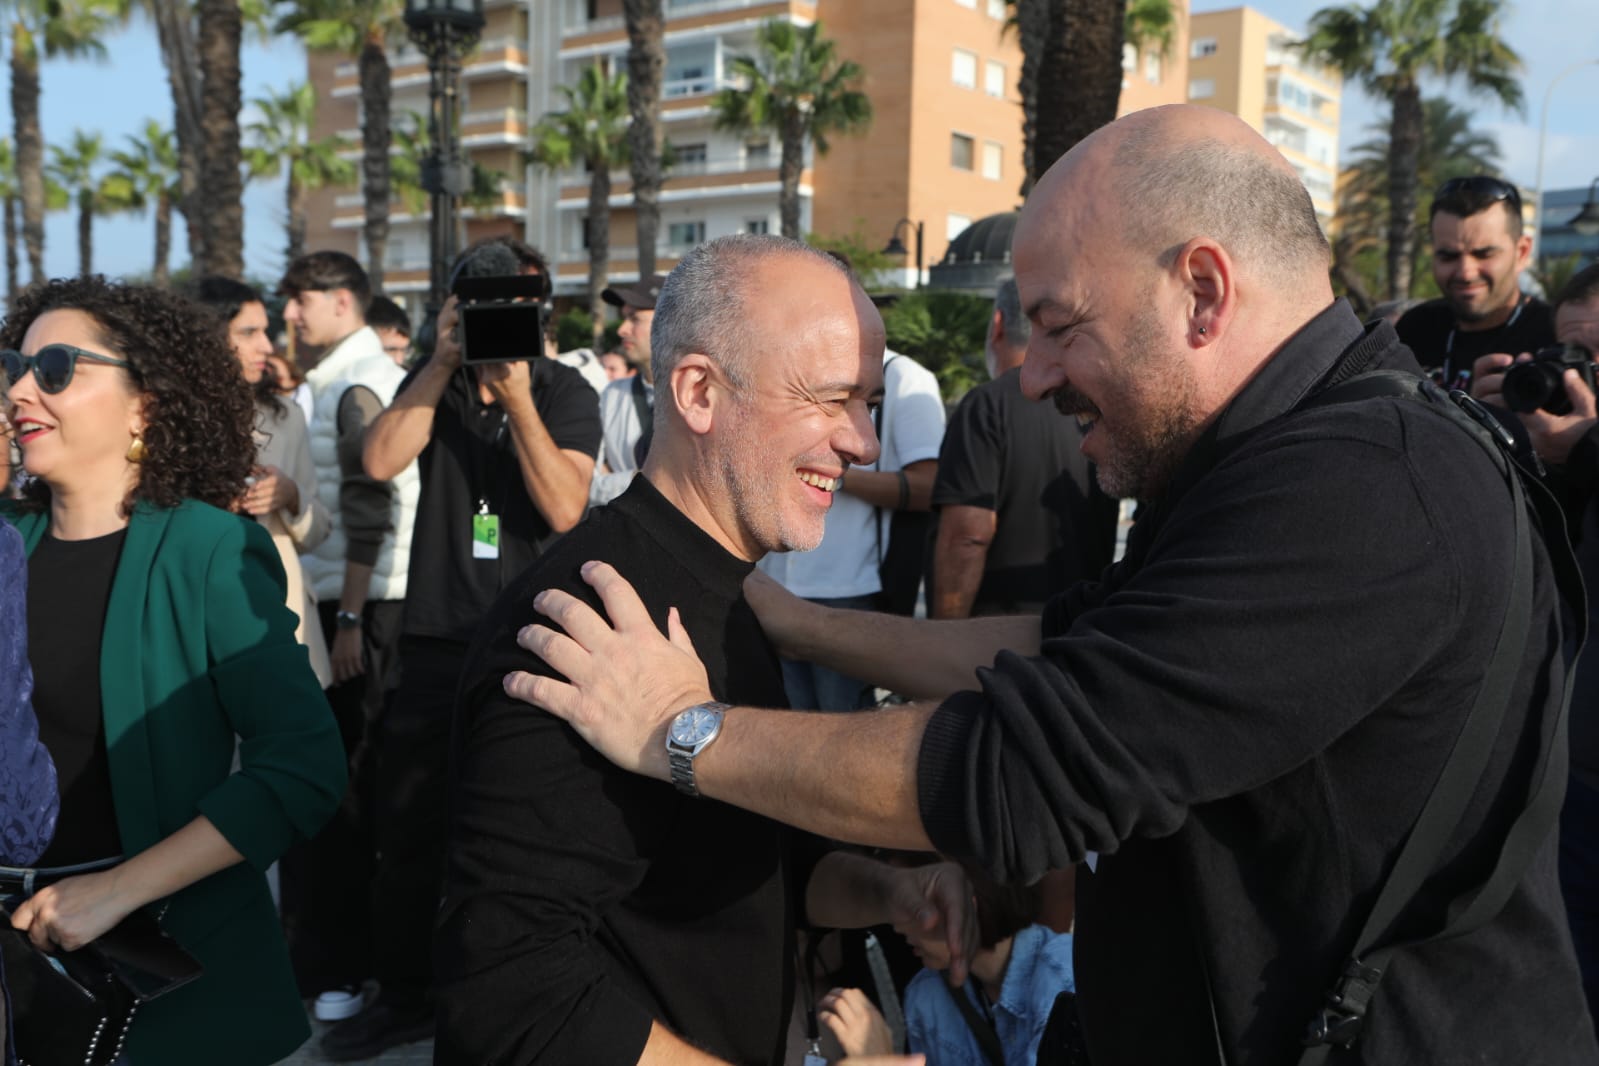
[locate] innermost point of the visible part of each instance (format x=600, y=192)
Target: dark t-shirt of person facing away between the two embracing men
x=1024, y=461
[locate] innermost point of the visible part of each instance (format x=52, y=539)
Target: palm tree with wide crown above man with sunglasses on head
x=1390, y=47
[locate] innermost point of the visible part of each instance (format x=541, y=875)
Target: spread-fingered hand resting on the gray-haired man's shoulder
x=624, y=683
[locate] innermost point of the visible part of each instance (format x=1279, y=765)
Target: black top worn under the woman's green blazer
x=68, y=592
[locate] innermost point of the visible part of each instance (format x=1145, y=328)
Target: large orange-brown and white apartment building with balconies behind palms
x=944, y=148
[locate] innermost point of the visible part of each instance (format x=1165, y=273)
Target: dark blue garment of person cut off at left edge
x=28, y=778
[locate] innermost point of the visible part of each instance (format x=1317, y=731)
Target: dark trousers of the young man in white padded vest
x=325, y=883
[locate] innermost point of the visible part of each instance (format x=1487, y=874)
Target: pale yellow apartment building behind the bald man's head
x=1242, y=62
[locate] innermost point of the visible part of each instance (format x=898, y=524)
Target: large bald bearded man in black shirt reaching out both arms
x=1246, y=717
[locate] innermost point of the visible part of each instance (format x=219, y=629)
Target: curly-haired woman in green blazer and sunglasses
x=135, y=426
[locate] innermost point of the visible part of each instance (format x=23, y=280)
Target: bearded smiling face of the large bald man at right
x=1101, y=349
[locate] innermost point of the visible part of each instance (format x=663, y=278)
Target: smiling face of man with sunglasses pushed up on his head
x=1478, y=265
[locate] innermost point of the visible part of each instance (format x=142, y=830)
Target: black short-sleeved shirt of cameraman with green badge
x=471, y=463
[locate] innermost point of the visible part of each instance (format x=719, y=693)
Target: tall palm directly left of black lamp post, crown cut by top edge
x=362, y=28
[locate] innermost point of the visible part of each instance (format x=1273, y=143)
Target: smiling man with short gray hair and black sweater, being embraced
x=592, y=917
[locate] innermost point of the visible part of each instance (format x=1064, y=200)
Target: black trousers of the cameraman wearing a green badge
x=410, y=816
